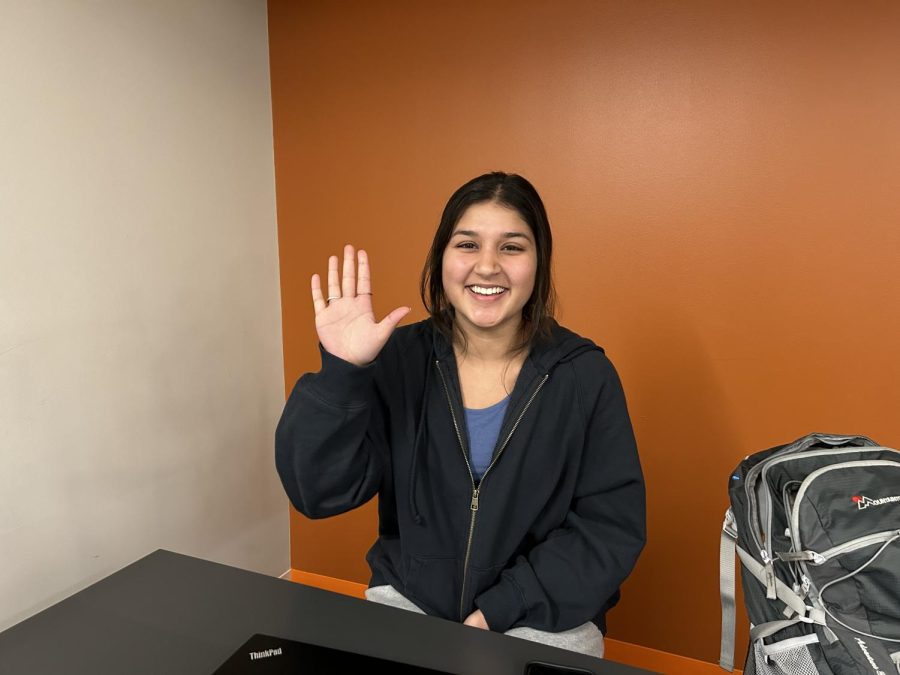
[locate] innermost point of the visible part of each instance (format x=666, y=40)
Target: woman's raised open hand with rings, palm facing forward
x=345, y=321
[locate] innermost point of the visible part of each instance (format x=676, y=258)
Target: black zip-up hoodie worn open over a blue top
x=558, y=519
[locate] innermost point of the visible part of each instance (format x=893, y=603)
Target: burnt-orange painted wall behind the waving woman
x=722, y=179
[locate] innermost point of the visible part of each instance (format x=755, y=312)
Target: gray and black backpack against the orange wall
x=816, y=525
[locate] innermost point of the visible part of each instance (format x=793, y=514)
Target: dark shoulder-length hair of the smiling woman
x=514, y=192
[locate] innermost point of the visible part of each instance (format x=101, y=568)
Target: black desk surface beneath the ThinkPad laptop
x=170, y=613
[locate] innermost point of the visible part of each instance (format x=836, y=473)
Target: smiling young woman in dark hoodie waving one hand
x=499, y=444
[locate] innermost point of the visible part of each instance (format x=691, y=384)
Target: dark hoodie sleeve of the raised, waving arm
x=330, y=447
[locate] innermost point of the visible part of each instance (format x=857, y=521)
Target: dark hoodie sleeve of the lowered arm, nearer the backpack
x=569, y=577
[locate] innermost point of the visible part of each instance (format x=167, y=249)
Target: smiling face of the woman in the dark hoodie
x=489, y=268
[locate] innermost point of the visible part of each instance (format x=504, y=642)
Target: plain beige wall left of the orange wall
x=140, y=348
